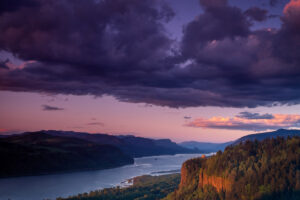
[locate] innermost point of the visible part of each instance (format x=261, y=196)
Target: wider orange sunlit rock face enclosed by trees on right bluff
x=220, y=183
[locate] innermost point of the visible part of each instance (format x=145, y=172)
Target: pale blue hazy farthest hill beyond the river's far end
x=204, y=146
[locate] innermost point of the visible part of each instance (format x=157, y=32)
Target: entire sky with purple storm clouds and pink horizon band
x=205, y=70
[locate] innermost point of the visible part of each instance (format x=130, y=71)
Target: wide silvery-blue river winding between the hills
x=64, y=185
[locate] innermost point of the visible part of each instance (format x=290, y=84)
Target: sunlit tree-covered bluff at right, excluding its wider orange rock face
x=256, y=170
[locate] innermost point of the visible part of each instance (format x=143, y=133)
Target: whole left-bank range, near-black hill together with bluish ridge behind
x=47, y=152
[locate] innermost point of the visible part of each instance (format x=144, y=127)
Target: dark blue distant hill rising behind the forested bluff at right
x=273, y=134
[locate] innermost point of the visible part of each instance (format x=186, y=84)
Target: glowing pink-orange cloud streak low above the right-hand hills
x=249, y=122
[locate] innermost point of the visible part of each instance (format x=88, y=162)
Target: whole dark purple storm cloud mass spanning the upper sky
x=121, y=48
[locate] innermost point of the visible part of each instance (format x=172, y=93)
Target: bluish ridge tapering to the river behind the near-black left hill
x=131, y=145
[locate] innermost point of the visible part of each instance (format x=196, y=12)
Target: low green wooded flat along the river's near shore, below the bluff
x=144, y=188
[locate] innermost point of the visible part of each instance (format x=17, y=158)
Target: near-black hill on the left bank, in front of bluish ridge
x=40, y=153
